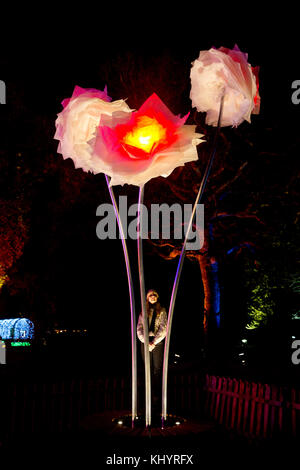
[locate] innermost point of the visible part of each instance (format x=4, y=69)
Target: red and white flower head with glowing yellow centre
x=135, y=147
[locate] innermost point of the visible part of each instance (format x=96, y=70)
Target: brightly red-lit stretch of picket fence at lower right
x=253, y=409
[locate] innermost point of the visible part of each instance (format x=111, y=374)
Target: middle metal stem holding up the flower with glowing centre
x=144, y=309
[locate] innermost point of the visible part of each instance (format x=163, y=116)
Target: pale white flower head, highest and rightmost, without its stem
x=219, y=71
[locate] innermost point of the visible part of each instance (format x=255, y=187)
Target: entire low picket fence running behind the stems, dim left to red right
x=253, y=409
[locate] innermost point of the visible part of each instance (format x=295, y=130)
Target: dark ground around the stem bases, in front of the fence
x=103, y=443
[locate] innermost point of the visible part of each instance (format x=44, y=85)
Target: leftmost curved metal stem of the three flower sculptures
x=132, y=304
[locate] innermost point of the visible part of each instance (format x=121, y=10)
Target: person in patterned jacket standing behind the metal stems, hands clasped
x=157, y=328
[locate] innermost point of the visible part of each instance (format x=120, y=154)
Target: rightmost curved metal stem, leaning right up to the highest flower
x=180, y=265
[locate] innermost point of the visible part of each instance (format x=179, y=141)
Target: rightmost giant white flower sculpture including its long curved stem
x=224, y=86
